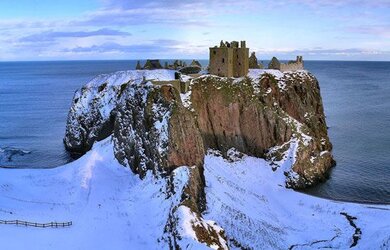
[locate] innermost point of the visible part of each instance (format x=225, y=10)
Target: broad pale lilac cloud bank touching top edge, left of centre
x=176, y=13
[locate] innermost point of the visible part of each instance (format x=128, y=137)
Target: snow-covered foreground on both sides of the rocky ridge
x=111, y=208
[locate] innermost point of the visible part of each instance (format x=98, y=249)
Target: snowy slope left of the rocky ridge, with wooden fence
x=110, y=207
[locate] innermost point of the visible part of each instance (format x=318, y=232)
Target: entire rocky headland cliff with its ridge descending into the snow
x=156, y=129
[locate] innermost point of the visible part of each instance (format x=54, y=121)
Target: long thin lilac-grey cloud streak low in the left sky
x=47, y=36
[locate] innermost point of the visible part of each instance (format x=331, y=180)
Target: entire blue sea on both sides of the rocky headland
x=35, y=98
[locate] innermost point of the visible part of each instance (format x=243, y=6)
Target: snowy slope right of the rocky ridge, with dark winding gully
x=250, y=202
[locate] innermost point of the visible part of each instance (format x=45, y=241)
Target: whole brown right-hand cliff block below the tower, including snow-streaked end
x=265, y=110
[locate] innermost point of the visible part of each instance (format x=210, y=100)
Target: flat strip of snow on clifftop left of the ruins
x=120, y=77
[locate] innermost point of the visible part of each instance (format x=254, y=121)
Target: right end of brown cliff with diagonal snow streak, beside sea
x=298, y=95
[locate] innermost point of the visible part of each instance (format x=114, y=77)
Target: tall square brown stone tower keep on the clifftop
x=229, y=59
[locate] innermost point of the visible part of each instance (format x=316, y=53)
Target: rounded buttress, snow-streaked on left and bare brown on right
x=153, y=131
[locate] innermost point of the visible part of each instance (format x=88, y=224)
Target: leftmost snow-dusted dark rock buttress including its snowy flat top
x=90, y=116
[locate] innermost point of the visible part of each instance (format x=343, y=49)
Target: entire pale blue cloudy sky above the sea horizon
x=165, y=29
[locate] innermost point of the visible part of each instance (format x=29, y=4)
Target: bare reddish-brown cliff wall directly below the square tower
x=229, y=115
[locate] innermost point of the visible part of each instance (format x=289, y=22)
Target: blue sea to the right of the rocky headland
x=356, y=97
